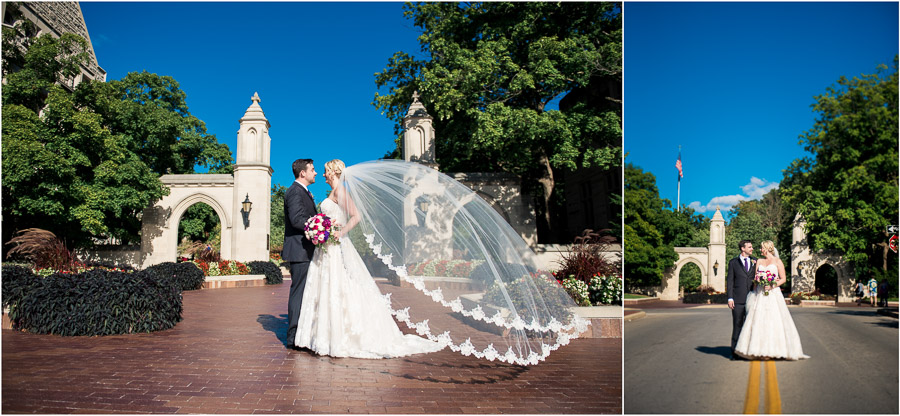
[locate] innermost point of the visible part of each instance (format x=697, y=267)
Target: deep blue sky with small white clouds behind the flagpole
x=732, y=83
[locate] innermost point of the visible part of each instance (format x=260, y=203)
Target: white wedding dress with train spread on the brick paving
x=343, y=313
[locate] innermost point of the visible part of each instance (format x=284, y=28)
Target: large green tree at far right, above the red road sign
x=847, y=189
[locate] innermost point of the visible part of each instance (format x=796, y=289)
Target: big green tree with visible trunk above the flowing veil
x=492, y=69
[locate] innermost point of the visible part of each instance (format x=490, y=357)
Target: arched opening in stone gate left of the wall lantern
x=200, y=233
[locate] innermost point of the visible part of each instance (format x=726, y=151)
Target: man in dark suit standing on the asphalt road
x=737, y=285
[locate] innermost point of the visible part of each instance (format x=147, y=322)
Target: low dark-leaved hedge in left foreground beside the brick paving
x=95, y=302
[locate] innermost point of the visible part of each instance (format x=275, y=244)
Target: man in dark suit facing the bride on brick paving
x=299, y=206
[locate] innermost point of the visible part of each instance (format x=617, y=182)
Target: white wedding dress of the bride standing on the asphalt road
x=769, y=330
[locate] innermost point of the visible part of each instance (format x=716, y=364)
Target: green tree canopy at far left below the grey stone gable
x=85, y=163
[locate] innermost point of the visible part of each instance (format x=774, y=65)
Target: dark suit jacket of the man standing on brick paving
x=299, y=206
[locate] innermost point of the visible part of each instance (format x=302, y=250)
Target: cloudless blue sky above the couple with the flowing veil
x=313, y=65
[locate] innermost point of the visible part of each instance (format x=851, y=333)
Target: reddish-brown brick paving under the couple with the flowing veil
x=228, y=356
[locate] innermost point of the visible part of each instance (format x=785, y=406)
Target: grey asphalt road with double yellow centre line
x=677, y=361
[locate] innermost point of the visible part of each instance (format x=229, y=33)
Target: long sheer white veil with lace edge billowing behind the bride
x=481, y=291
